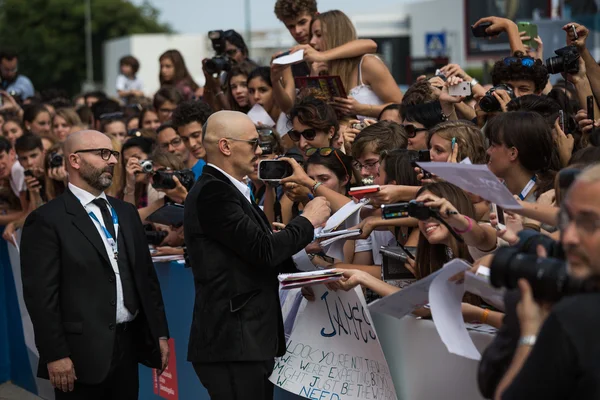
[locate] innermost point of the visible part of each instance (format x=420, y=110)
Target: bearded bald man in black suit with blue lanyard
x=89, y=283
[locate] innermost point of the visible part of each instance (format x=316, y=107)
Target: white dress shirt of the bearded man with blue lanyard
x=86, y=198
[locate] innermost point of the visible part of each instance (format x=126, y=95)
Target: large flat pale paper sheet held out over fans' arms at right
x=477, y=179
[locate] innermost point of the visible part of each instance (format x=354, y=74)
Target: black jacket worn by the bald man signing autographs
x=235, y=259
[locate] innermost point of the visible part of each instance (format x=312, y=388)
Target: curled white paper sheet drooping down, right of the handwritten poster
x=445, y=299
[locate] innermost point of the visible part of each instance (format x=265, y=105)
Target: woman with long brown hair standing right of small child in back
x=173, y=71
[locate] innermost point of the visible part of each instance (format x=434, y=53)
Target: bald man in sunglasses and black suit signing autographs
x=237, y=327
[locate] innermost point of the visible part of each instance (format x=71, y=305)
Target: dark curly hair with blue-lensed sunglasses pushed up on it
x=516, y=71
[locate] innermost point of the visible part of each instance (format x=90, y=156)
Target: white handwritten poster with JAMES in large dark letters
x=333, y=352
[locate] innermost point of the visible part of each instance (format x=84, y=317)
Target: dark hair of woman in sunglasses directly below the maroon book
x=315, y=113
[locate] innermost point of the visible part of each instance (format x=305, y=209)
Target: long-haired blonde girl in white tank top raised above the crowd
x=370, y=83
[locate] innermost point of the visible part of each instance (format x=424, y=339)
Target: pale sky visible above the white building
x=199, y=16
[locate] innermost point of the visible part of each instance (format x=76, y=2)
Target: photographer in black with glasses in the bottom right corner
x=557, y=355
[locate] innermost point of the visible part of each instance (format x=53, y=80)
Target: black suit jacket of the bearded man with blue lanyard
x=70, y=291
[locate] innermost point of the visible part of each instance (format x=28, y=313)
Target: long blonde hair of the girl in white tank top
x=337, y=30
